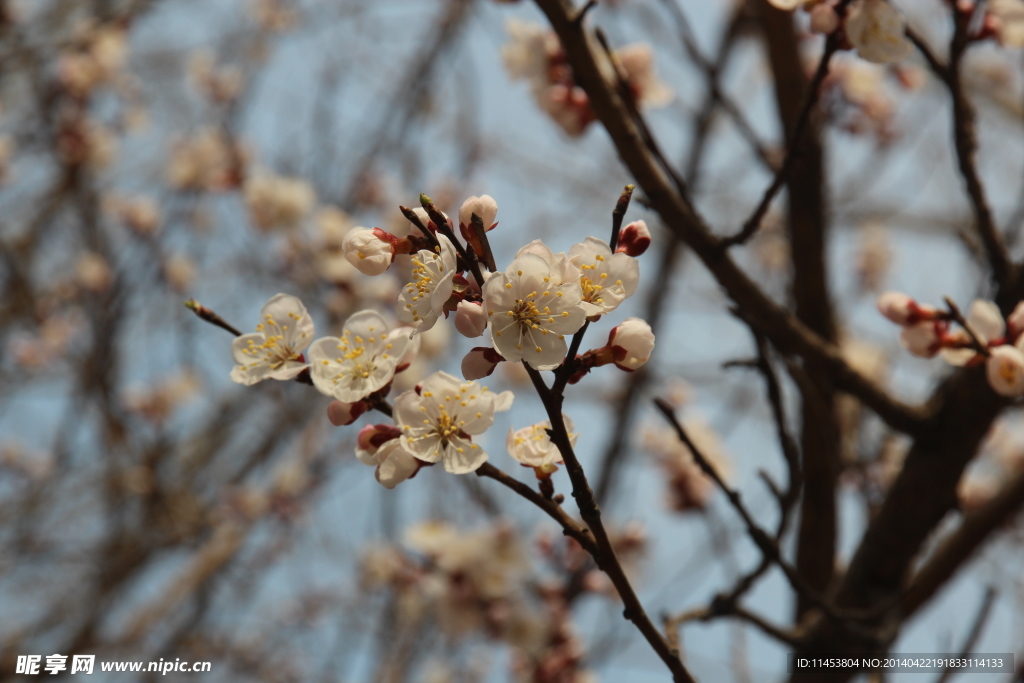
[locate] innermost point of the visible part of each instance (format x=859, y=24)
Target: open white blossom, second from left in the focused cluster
x=362, y=362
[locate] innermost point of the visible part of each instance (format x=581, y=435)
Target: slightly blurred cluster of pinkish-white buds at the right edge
x=986, y=338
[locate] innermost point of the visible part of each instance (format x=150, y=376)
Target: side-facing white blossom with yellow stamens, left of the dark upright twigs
x=422, y=301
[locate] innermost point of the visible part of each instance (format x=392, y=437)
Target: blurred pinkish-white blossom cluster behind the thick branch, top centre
x=535, y=55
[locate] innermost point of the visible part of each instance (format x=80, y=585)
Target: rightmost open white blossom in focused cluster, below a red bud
x=606, y=279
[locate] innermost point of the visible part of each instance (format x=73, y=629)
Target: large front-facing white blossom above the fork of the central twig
x=533, y=306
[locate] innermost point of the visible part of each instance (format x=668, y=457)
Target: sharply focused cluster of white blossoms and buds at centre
x=530, y=310
